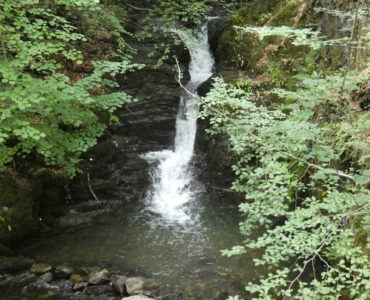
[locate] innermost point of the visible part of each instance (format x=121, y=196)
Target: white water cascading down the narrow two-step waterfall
x=171, y=188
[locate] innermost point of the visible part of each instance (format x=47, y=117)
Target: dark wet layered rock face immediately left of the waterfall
x=116, y=169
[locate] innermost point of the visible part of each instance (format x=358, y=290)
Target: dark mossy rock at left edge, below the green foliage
x=24, y=202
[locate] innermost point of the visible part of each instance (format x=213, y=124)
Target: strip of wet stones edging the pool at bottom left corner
x=44, y=281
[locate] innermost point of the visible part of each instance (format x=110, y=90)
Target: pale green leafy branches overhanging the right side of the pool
x=285, y=169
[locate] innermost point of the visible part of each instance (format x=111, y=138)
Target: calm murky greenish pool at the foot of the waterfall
x=182, y=258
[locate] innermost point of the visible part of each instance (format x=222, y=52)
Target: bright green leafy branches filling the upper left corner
x=42, y=111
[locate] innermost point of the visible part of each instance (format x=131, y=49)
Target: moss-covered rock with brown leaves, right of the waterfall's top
x=245, y=51
